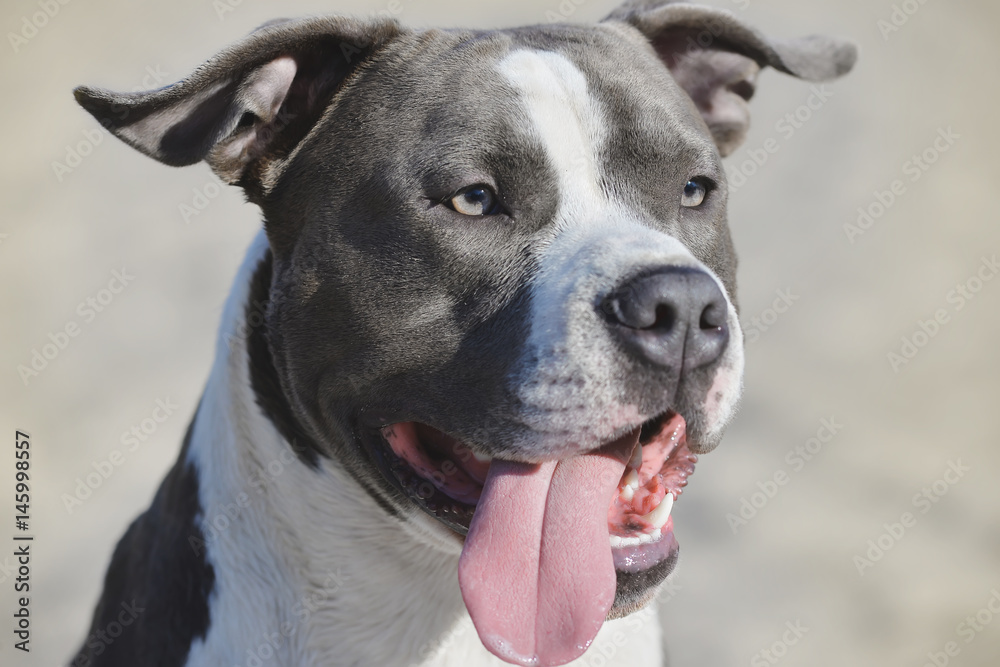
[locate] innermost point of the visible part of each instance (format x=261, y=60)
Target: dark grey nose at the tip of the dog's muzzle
x=674, y=317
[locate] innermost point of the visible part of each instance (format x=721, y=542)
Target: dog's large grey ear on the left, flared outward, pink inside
x=246, y=108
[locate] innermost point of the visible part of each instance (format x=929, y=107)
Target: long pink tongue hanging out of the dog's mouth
x=536, y=571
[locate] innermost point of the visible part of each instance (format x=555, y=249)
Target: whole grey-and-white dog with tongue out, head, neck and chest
x=469, y=362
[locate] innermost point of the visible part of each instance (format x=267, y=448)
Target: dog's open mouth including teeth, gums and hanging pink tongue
x=552, y=549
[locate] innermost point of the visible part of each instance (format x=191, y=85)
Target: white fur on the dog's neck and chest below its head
x=309, y=570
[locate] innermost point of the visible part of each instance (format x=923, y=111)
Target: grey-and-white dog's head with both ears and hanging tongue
x=501, y=286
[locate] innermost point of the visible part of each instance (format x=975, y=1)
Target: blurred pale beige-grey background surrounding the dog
x=868, y=242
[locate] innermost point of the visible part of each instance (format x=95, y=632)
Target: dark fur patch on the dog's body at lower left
x=155, y=600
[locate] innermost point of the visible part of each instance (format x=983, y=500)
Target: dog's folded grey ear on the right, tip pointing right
x=715, y=58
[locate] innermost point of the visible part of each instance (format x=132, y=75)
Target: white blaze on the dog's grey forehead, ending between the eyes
x=566, y=119
